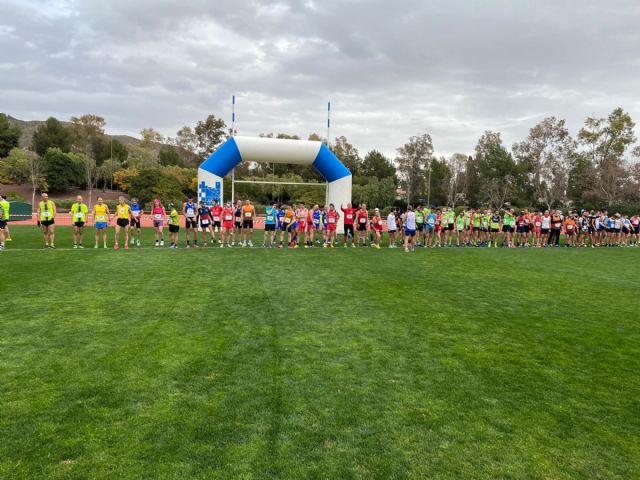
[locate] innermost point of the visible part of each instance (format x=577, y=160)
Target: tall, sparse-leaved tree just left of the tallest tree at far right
x=546, y=156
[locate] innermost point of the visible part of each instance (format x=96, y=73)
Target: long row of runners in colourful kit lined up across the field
x=296, y=224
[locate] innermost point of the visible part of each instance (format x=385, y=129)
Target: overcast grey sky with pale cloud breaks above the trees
x=391, y=69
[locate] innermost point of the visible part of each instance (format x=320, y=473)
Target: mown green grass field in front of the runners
x=334, y=364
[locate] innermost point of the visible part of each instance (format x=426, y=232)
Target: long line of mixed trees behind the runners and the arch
x=548, y=169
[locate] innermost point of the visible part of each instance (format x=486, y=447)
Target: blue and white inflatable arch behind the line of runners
x=273, y=150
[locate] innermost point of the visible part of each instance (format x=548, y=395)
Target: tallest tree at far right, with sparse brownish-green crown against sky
x=605, y=142
